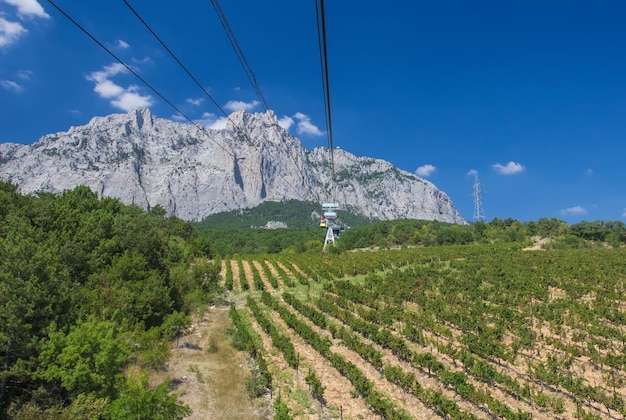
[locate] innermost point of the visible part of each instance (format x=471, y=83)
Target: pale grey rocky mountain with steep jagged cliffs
x=193, y=172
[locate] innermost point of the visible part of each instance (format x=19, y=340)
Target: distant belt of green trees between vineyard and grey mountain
x=240, y=232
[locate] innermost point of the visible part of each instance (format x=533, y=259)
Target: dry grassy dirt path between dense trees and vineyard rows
x=210, y=379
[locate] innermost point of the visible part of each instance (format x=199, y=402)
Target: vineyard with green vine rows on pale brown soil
x=460, y=332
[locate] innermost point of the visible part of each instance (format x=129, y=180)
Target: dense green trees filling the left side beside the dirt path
x=91, y=293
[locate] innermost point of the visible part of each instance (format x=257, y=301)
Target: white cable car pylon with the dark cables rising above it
x=329, y=218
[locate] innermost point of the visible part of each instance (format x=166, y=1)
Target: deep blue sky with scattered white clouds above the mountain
x=531, y=96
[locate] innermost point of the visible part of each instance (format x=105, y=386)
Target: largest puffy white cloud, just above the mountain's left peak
x=121, y=97
